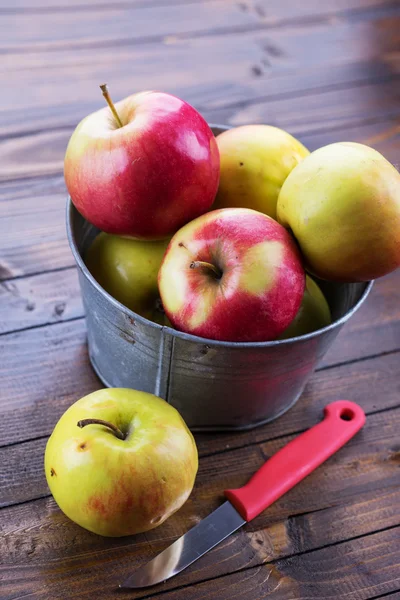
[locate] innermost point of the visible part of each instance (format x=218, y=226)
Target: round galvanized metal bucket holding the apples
x=214, y=385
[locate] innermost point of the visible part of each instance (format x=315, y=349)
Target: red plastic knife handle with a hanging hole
x=342, y=420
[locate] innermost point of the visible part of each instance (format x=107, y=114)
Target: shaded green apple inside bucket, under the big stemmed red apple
x=127, y=269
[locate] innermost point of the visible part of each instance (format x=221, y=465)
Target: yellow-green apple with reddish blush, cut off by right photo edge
x=342, y=204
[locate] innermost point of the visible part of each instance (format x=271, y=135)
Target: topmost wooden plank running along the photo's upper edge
x=124, y=23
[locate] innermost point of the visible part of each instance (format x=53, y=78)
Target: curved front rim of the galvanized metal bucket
x=186, y=336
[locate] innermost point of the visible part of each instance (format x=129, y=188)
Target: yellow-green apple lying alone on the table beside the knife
x=120, y=462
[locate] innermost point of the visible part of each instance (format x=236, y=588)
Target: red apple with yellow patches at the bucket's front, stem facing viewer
x=233, y=274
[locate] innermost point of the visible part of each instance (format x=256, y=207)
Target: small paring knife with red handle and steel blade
x=342, y=420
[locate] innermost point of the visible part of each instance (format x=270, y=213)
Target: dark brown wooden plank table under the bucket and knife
x=325, y=71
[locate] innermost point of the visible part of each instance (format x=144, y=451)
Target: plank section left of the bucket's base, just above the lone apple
x=42, y=368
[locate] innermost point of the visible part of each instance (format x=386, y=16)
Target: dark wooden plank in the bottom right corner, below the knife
x=356, y=570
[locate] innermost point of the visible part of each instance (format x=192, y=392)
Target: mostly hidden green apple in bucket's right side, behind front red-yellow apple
x=314, y=312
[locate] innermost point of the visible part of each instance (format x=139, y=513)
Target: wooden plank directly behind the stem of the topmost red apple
x=212, y=72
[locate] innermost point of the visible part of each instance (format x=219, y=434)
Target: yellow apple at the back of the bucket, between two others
x=255, y=161
